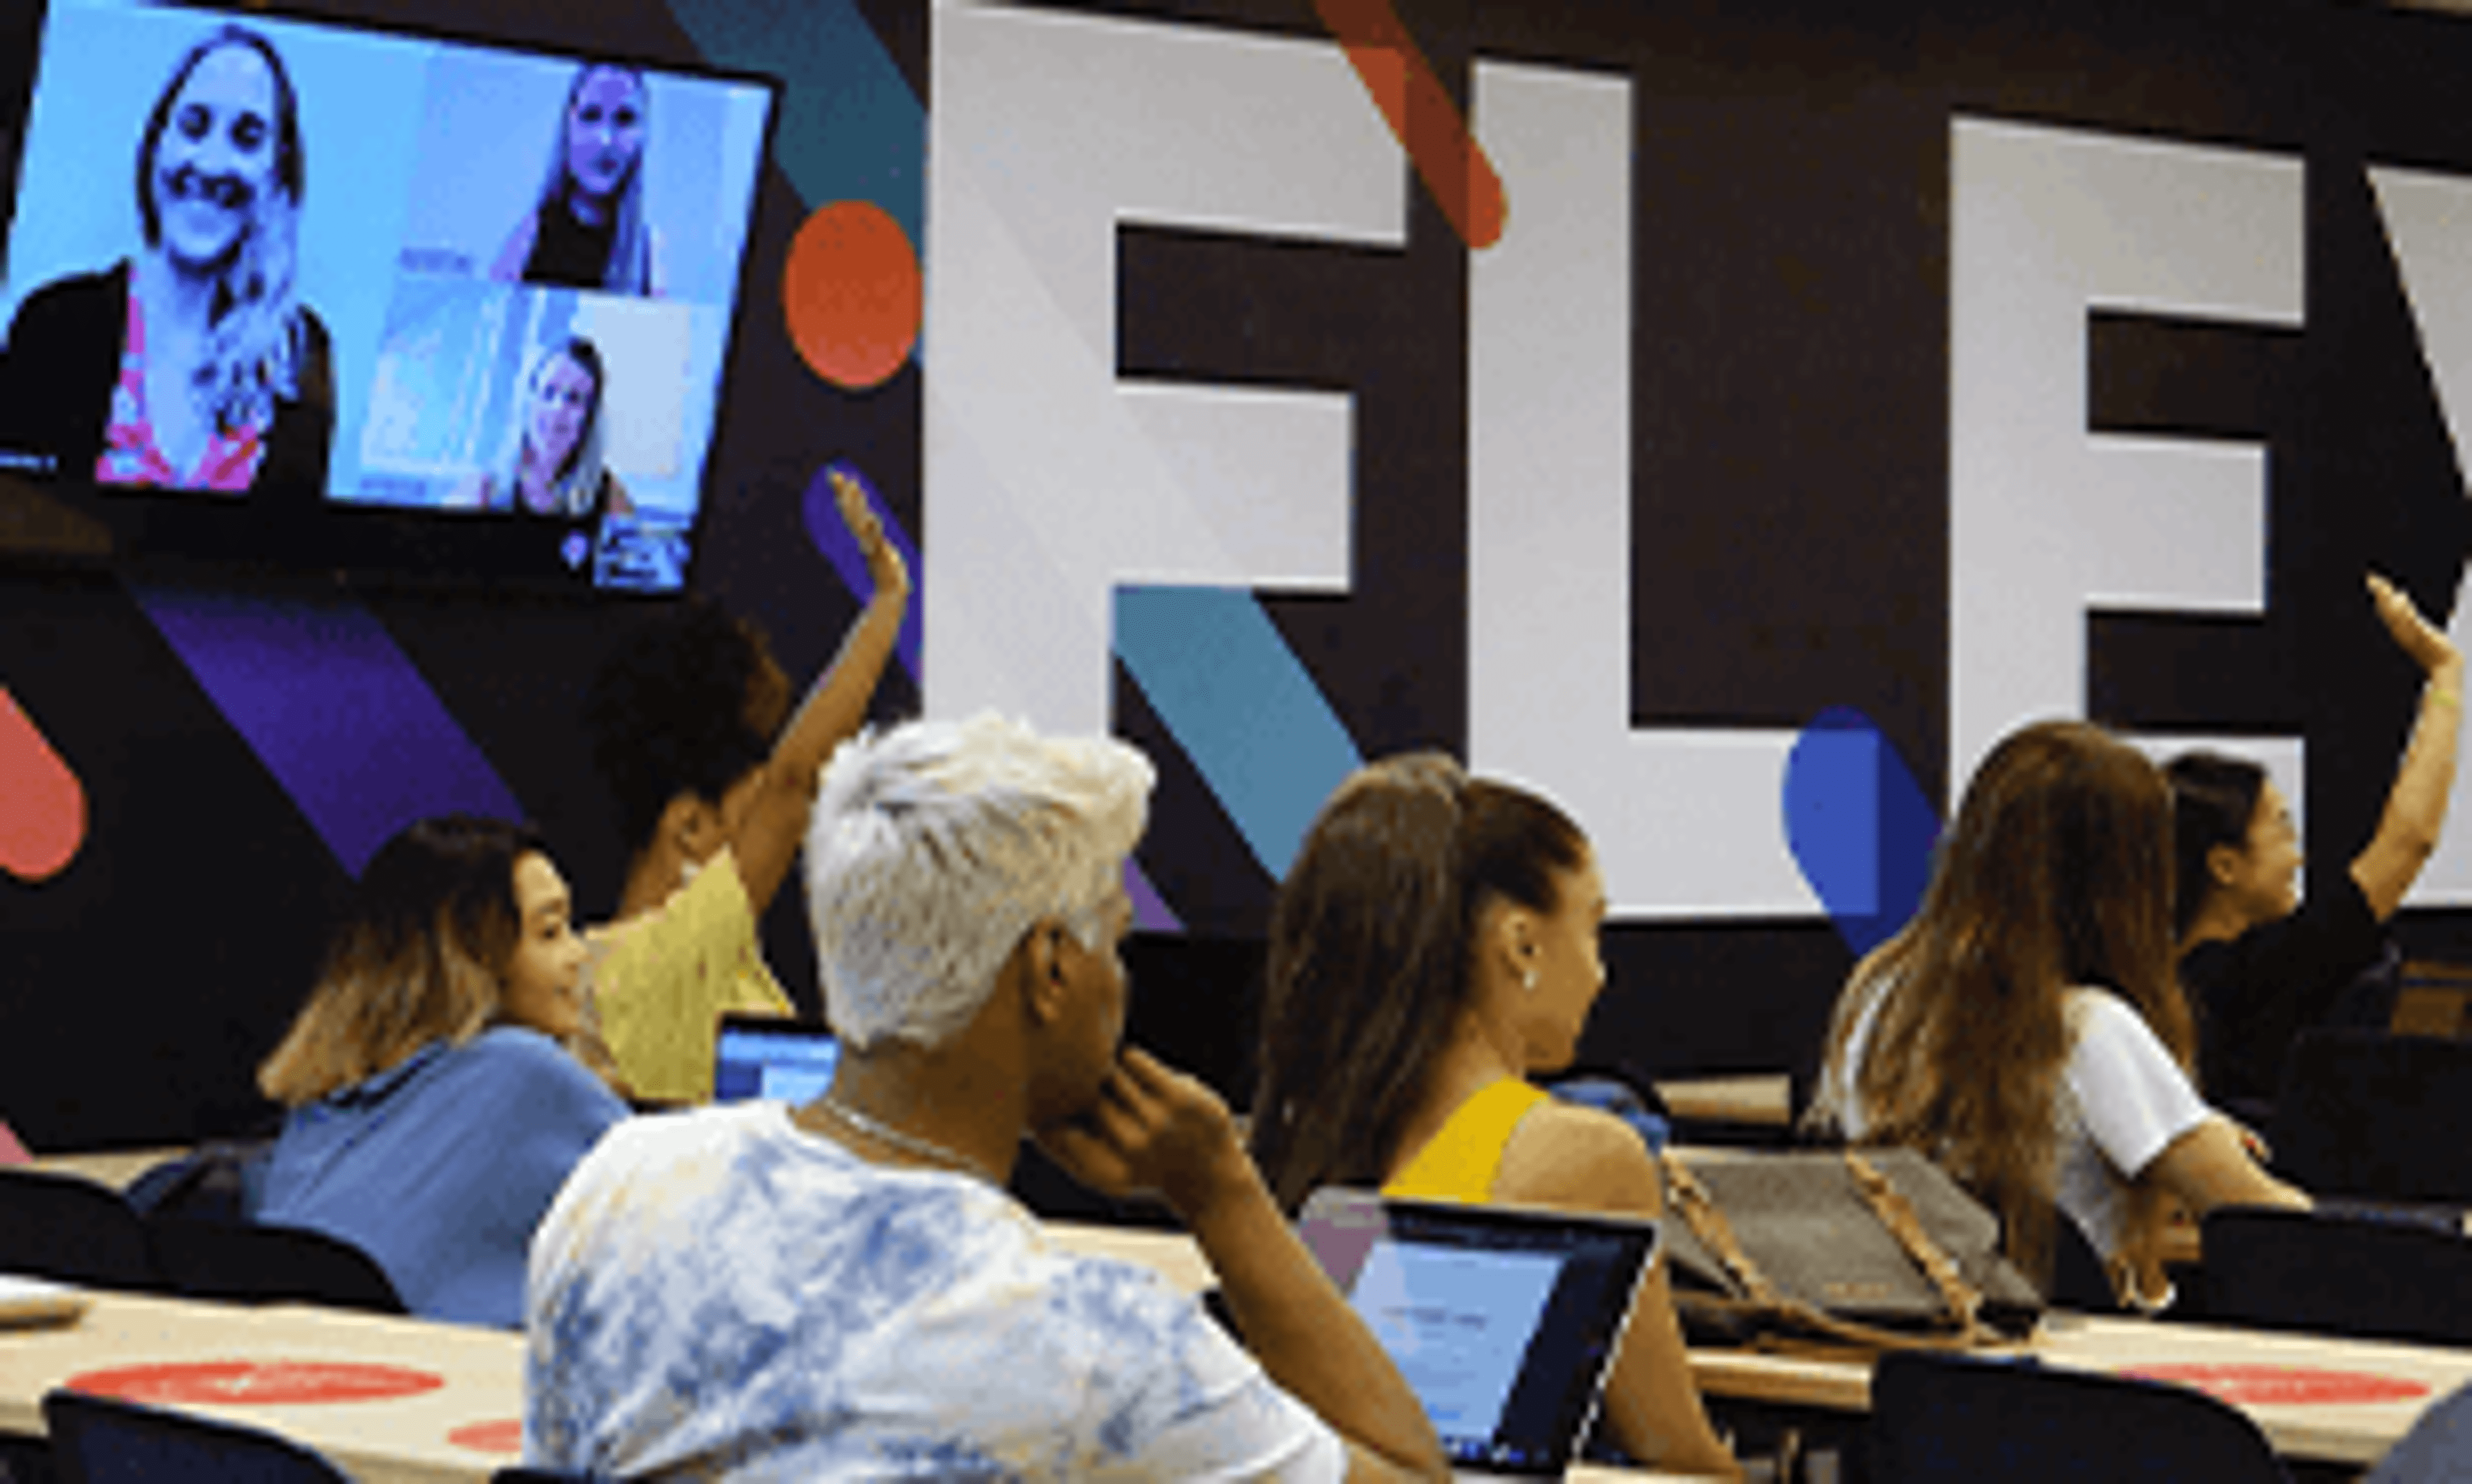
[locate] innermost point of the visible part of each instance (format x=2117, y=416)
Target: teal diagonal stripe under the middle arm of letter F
x=1245, y=710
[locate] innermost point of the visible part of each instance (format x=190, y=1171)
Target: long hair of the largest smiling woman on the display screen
x=256, y=337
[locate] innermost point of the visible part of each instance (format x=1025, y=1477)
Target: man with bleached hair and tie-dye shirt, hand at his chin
x=844, y=1290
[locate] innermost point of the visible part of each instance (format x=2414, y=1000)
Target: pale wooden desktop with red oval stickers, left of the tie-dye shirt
x=377, y=1441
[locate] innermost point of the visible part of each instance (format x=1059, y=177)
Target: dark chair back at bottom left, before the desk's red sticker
x=105, y=1441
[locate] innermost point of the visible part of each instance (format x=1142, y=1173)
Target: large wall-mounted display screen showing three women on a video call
x=323, y=295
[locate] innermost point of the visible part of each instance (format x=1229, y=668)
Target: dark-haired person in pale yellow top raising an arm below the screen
x=713, y=796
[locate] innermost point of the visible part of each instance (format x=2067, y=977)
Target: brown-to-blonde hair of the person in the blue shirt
x=421, y=957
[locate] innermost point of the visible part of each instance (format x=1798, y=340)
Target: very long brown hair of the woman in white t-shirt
x=2058, y=873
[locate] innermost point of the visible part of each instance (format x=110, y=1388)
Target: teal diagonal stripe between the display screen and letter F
x=852, y=130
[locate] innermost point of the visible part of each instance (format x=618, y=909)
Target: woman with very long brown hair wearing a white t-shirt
x=2028, y=1031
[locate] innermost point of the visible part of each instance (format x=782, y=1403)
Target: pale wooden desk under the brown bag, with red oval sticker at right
x=2347, y=1433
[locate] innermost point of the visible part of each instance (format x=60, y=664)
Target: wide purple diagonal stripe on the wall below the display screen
x=335, y=710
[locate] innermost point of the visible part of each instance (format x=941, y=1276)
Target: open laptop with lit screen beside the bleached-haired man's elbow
x=1502, y=1322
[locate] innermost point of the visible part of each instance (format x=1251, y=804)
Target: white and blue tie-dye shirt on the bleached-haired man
x=718, y=1295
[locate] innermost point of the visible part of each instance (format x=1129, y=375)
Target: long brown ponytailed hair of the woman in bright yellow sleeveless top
x=1371, y=957
